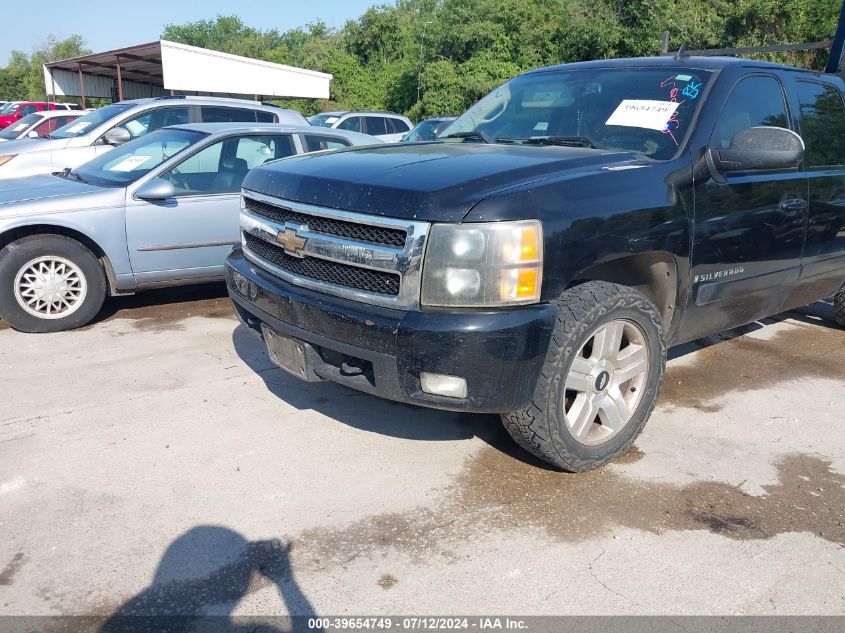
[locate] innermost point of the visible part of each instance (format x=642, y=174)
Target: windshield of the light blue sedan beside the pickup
x=127, y=163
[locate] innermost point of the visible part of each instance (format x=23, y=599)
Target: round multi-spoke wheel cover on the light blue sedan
x=50, y=287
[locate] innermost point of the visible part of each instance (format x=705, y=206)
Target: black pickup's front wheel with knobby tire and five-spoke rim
x=600, y=380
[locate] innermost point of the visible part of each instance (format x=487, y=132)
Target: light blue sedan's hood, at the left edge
x=45, y=193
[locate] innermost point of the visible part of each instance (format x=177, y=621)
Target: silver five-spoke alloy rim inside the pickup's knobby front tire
x=605, y=382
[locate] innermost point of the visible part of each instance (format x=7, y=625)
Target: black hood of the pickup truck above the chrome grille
x=429, y=181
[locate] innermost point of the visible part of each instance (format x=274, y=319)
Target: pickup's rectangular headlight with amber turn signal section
x=483, y=265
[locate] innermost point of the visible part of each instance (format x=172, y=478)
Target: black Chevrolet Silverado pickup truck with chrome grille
x=539, y=258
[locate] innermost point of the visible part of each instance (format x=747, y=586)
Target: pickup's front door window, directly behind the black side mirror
x=754, y=101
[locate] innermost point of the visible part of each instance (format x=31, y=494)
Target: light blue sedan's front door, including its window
x=188, y=236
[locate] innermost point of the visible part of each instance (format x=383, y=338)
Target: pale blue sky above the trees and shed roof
x=108, y=25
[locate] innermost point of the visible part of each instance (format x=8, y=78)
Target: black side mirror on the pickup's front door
x=759, y=148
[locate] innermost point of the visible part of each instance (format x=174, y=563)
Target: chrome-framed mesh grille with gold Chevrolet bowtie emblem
x=361, y=257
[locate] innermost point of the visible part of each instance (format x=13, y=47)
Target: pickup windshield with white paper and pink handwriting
x=637, y=109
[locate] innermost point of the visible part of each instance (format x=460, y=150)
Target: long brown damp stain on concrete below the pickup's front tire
x=497, y=492
